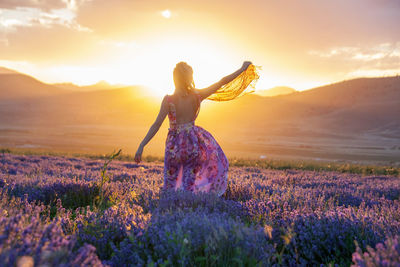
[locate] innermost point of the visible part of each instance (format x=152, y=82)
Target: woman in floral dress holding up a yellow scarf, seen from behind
x=193, y=160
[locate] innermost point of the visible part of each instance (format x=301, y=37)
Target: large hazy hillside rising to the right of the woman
x=350, y=106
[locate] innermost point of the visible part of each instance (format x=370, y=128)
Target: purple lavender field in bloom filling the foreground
x=54, y=212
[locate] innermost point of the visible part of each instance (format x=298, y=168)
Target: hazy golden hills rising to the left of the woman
x=25, y=100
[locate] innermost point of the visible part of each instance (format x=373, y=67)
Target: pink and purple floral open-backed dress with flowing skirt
x=193, y=160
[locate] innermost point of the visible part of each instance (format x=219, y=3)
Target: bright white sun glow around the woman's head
x=152, y=63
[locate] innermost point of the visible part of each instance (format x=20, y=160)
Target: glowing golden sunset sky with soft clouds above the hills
x=300, y=44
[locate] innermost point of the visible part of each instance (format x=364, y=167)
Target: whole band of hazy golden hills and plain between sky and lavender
x=350, y=119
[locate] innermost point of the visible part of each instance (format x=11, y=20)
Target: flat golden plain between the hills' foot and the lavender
x=245, y=144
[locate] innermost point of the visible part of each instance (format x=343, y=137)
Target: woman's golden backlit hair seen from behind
x=183, y=78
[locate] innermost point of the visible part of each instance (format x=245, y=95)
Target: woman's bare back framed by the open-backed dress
x=186, y=107
